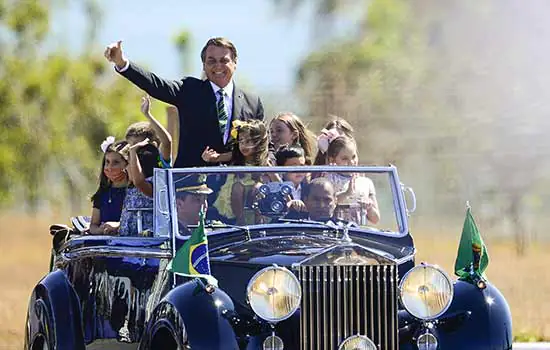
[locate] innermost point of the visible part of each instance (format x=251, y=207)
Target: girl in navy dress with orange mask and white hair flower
x=113, y=180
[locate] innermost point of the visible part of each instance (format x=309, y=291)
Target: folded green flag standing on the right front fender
x=472, y=258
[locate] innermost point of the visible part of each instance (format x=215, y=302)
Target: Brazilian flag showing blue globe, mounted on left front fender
x=191, y=260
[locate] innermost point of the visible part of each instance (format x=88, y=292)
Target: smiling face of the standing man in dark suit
x=219, y=65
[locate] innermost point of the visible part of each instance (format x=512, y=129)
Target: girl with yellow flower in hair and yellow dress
x=251, y=150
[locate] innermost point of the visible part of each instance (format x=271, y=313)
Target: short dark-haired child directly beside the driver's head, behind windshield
x=293, y=156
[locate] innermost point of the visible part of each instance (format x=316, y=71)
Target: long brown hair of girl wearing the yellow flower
x=257, y=131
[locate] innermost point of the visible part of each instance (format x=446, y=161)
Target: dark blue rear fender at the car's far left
x=54, y=313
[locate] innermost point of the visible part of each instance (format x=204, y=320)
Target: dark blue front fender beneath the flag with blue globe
x=194, y=314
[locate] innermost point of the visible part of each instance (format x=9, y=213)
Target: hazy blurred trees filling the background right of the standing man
x=448, y=91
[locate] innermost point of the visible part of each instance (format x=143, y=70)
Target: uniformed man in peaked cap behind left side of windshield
x=191, y=194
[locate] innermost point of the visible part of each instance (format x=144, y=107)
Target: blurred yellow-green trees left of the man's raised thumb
x=55, y=110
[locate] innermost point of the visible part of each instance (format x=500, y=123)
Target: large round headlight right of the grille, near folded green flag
x=426, y=292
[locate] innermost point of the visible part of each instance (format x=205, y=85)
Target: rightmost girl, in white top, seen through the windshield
x=354, y=193
